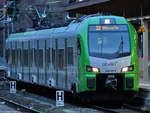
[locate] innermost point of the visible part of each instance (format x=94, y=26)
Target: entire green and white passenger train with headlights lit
x=91, y=54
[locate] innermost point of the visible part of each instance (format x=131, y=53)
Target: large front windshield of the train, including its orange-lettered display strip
x=109, y=41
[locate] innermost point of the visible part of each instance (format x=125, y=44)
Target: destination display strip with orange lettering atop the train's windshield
x=108, y=28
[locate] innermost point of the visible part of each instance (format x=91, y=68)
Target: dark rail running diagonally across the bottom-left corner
x=21, y=107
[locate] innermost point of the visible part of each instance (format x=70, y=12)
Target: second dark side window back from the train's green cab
x=61, y=58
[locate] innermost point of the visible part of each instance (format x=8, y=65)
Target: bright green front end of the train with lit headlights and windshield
x=108, y=60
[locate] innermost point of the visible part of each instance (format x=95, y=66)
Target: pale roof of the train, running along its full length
x=72, y=28
